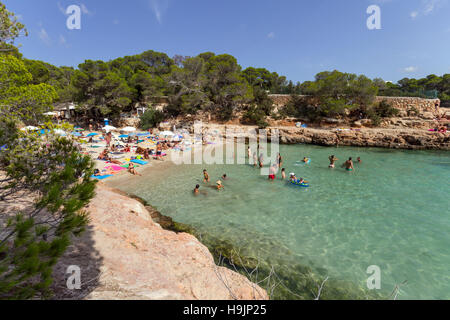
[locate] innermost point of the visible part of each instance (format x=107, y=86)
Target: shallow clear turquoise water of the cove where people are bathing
x=391, y=211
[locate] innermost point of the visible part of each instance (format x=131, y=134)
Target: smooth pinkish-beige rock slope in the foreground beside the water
x=124, y=254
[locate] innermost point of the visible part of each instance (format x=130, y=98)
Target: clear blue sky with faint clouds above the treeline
x=296, y=38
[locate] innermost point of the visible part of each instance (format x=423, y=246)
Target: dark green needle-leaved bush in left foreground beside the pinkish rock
x=32, y=241
